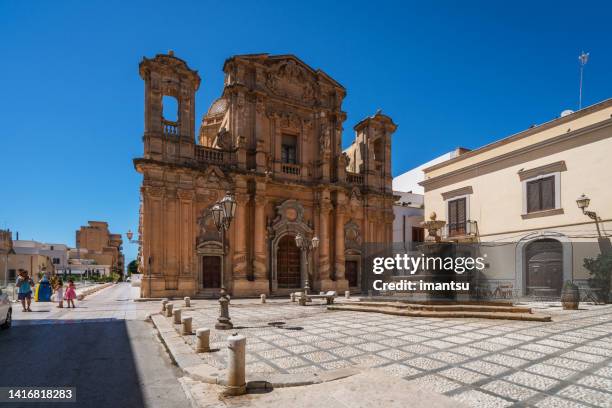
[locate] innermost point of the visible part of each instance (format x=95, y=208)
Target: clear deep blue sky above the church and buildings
x=71, y=104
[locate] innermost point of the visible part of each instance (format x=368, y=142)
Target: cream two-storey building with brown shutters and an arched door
x=517, y=197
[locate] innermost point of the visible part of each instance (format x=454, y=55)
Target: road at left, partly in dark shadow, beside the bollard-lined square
x=111, y=362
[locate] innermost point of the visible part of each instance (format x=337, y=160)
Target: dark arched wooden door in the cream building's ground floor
x=544, y=266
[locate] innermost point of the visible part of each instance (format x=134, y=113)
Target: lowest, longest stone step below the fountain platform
x=533, y=317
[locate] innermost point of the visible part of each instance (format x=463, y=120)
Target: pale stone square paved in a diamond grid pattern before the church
x=484, y=363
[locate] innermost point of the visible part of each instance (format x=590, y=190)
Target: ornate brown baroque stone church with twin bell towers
x=272, y=139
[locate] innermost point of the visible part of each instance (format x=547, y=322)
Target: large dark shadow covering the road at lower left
x=95, y=356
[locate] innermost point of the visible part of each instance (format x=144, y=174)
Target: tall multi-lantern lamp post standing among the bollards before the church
x=223, y=213
